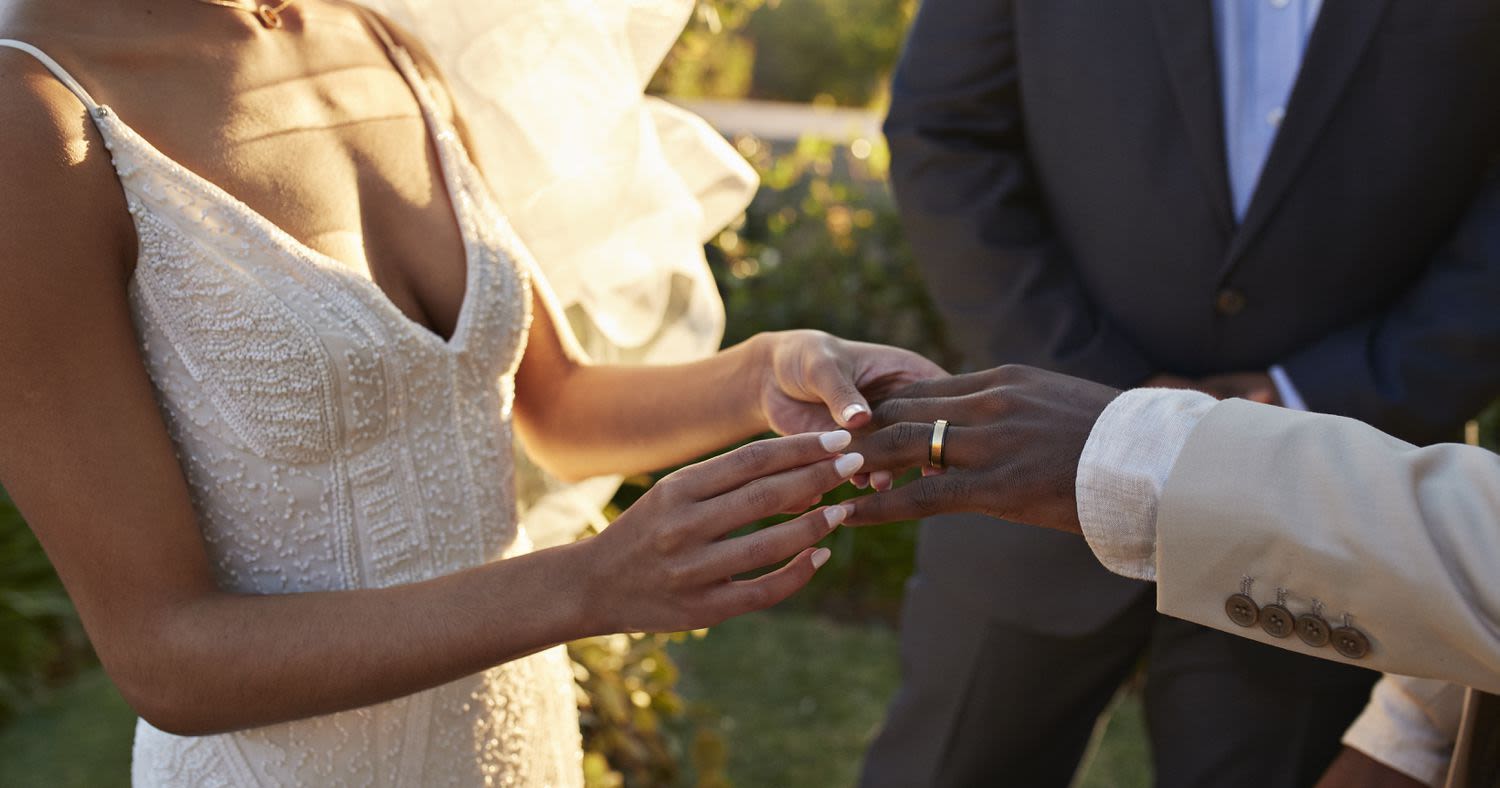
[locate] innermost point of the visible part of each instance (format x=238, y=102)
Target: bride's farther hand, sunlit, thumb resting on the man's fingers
x=820, y=382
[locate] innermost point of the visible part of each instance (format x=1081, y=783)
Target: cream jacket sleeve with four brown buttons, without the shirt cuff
x=1396, y=541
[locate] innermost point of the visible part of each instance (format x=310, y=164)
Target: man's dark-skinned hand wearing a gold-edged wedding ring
x=1013, y=447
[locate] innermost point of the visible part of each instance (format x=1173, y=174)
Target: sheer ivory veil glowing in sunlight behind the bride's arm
x=611, y=190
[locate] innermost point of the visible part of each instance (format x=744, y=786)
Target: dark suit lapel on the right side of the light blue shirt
x=1339, y=41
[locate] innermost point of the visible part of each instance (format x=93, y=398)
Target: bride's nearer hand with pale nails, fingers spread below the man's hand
x=667, y=565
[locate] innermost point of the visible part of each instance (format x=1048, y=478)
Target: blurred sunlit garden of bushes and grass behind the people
x=788, y=699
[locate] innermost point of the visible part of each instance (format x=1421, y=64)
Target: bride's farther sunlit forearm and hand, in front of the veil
x=580, y=420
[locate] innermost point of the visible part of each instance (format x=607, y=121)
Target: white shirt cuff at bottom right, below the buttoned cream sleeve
x=1411, y=726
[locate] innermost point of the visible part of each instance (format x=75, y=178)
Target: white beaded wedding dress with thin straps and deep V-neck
x=334, y=444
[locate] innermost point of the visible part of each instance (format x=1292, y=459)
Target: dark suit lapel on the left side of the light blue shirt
x=1187, y=44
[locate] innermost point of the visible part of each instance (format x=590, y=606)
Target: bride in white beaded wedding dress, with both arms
x=268, y=341
